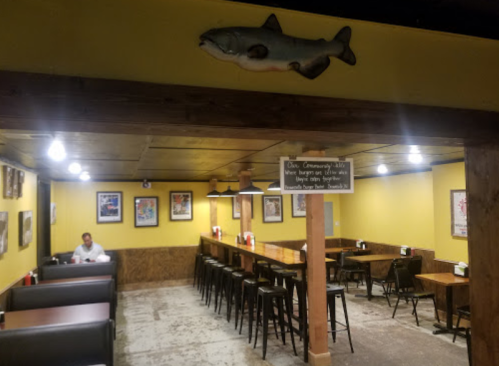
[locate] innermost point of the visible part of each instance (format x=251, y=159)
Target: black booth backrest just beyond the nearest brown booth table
x=63, y=294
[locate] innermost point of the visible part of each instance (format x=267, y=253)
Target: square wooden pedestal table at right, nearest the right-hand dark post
x=449, y=281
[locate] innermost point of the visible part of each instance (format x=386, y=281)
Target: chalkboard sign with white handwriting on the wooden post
x=316, y=175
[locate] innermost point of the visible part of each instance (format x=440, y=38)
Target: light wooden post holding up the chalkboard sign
x=316, y=276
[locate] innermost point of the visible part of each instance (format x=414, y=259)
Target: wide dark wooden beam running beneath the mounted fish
x=113, y=106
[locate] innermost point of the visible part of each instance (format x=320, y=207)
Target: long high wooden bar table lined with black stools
x=283, y=257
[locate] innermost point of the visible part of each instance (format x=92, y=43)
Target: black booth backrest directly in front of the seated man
x=78, y=270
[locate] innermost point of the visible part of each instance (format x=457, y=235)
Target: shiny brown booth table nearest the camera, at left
x=60, y=315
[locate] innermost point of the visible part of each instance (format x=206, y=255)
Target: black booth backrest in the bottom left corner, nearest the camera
x=58, y=345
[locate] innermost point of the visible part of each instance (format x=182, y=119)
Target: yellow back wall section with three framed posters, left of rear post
x=76, y=214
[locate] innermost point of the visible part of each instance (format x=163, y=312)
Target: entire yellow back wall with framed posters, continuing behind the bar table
x=76, y=213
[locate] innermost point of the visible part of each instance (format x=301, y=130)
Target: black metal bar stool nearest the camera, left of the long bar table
x=266, y=296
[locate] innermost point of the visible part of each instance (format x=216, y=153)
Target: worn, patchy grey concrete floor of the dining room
x=171, y=326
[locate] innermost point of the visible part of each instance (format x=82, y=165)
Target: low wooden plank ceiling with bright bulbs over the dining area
x=137, y=157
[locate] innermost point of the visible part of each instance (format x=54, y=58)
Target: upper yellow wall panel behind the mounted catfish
x=157, y=41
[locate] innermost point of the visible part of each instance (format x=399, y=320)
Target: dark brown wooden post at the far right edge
x=482, y=177
